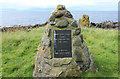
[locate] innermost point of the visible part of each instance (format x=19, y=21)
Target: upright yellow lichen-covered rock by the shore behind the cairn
x=85, y=21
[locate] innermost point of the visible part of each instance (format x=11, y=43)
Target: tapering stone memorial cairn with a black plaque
x=63, y=52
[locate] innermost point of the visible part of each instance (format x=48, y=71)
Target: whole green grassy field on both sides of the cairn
x=19, y=49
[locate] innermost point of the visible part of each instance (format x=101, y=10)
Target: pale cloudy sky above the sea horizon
x=45, y=5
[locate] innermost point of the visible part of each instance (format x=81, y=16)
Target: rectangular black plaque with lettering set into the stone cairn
x=62, y=43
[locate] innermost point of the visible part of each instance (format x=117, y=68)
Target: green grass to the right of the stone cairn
x=103, y=45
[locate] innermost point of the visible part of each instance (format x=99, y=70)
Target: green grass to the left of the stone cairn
x=18, y=52
